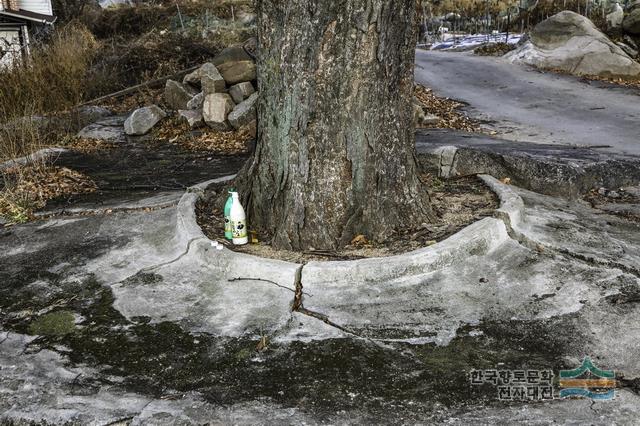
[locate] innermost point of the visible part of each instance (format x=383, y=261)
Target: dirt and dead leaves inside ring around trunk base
x=458, y=202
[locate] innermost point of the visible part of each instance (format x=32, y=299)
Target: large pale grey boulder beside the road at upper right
x=571, y=43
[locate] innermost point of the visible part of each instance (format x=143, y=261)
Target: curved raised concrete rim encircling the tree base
x=476, y=239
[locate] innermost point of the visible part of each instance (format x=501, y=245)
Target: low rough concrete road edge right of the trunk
x=556, y=170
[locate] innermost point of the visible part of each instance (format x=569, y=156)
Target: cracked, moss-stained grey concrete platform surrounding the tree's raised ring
x=132, y=317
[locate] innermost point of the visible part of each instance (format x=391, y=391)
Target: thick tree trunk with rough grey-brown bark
x=335, y=155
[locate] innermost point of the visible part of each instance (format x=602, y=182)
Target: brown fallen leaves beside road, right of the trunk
x=446, y=109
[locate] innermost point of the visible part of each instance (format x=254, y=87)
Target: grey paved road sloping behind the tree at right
x=528, y=105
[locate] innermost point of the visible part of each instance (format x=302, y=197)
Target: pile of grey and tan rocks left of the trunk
x=220, y=94
